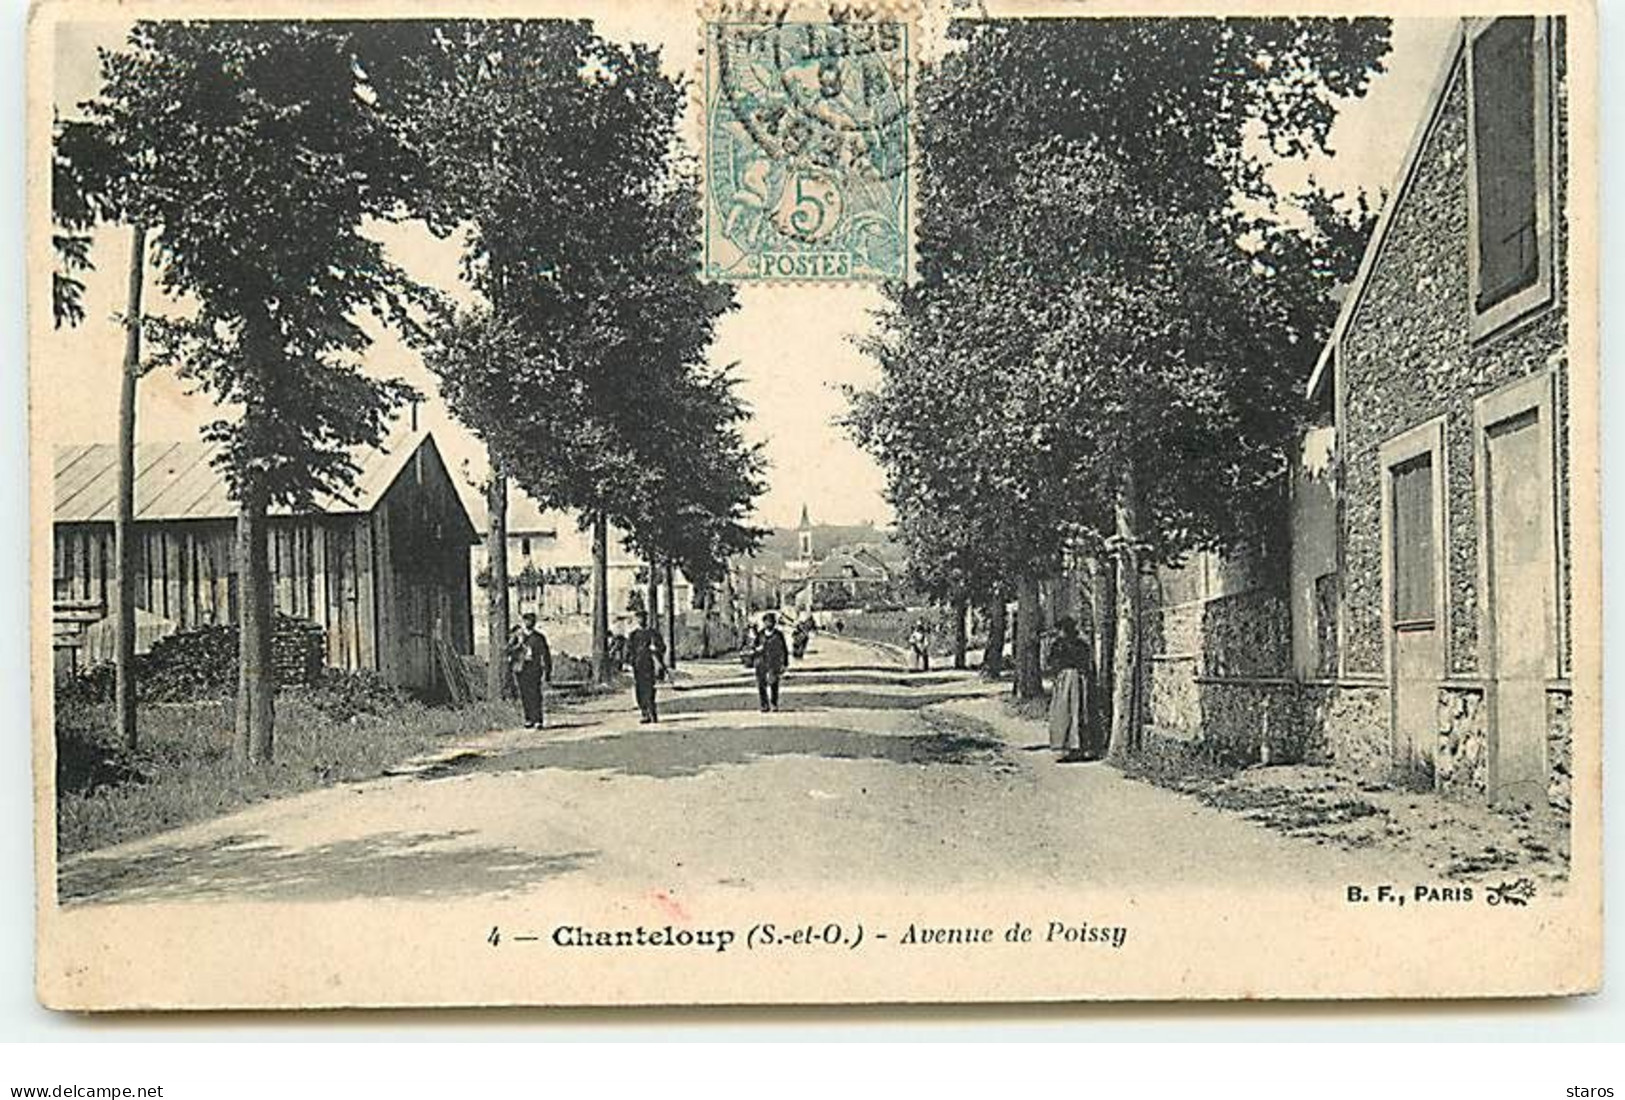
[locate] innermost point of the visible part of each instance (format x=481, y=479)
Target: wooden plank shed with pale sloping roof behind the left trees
x=384, y=573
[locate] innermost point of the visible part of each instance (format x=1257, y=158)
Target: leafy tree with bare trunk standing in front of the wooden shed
x=258, y=154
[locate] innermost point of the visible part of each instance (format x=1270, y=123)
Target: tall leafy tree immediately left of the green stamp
x=557, y=154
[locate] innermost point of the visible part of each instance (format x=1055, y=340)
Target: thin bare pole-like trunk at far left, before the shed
x=124, y=514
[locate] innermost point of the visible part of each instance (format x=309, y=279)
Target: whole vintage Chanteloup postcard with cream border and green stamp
x=805, y=503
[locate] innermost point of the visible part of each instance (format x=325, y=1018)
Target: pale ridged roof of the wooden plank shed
x=180, y=480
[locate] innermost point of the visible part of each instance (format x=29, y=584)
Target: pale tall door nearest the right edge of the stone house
x=1520, y=608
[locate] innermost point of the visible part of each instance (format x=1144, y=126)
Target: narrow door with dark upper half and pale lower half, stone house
x=1418, y=639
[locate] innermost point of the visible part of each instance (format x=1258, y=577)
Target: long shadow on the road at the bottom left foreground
x=243, y=868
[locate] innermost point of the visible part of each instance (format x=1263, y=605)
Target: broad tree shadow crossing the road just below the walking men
x=687, y=753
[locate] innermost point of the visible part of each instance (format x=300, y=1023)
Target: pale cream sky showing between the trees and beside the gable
x=794, y=347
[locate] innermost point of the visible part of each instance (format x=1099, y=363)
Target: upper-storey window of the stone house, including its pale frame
x=1510, y=180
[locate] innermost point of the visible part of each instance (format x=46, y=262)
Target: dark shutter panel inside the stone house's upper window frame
x=1504, y=118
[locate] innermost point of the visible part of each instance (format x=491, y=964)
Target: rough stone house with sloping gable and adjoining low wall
x=1416, y=628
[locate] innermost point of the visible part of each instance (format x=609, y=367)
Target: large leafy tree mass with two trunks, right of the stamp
x=1114, y=310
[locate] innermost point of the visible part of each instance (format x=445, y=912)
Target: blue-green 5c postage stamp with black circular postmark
x=807, y=149
